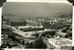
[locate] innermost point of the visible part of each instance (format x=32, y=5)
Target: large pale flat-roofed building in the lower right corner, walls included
x=60, y=43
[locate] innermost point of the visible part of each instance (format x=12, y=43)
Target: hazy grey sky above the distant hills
x=36, y=9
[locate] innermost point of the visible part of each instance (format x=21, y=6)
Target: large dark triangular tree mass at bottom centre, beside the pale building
x=38, y=44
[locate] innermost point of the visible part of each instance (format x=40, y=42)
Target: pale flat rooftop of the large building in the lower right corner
x=60, y=42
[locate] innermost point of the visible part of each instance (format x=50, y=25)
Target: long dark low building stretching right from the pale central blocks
x=55, y=25
